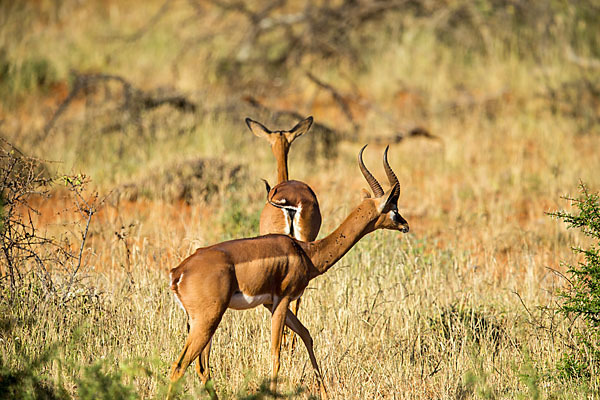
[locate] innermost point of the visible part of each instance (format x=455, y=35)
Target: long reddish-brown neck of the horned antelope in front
x=326, y=252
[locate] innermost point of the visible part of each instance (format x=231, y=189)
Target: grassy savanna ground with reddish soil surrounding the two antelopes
x=492, y=110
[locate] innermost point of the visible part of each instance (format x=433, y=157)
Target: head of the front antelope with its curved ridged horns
x=386, y=203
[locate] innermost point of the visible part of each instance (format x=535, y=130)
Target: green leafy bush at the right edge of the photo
x=582, y=298
